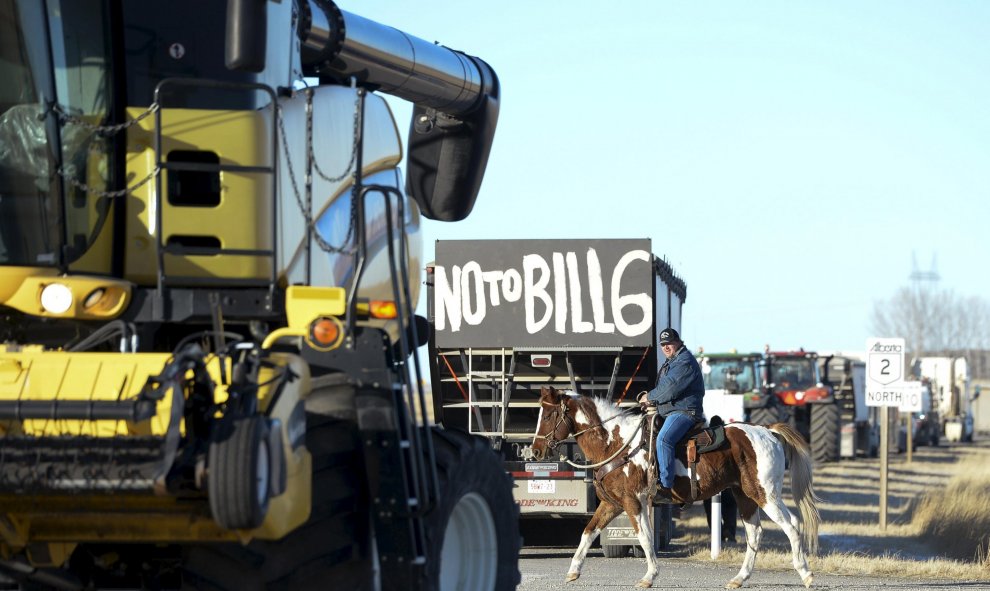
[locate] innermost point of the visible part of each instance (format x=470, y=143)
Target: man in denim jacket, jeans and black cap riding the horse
x=678, y=397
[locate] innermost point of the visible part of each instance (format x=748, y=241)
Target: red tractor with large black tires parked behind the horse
x=793, y=392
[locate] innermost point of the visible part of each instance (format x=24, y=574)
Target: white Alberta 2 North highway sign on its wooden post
x=884, y=381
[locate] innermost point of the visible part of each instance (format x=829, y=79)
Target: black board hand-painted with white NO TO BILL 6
x=543, y=293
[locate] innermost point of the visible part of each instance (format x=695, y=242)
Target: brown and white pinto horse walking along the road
x=751, y=464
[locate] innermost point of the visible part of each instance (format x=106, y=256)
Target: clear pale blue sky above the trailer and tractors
x=790, y=159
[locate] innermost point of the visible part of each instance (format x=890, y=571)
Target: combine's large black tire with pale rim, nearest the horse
x=475, y=523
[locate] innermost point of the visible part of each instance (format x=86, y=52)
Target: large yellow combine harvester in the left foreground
x=208, y=270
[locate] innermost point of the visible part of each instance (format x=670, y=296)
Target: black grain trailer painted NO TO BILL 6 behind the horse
x=511, y=316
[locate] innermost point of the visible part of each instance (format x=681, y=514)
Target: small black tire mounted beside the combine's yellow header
x=239, y=471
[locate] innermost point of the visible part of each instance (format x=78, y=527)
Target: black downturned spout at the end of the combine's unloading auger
x=448, y=154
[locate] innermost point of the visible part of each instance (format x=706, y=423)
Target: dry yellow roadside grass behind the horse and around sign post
x=938, y=519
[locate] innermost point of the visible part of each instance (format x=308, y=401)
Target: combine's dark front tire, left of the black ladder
x=331, y=548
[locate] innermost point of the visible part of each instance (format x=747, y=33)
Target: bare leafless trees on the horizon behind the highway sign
x=933, y=321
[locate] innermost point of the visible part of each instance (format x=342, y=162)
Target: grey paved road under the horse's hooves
x=544, y=569
